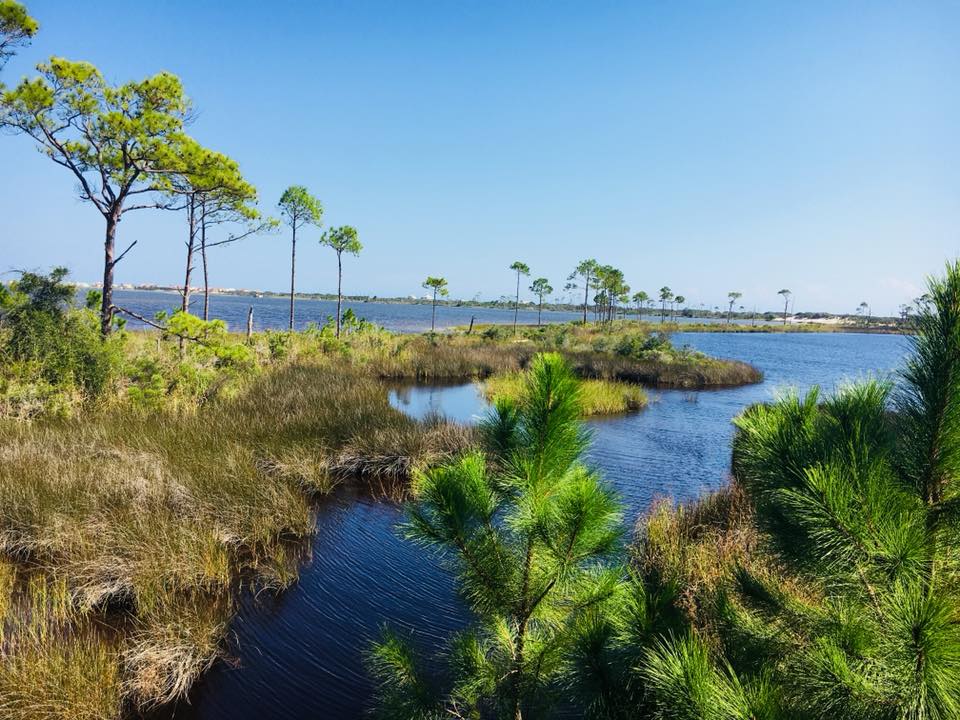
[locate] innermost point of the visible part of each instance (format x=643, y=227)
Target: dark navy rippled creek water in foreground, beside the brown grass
x=299, y=654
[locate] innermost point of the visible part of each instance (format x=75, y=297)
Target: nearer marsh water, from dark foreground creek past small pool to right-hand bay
x=301, y=655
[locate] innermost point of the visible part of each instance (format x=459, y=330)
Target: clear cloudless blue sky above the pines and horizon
x=709, y=146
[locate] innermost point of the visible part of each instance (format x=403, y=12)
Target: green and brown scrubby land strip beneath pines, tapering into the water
x=152, y=373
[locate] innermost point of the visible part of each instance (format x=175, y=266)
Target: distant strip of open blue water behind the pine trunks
x=274, y=312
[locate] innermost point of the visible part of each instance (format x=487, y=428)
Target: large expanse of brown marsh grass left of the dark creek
x=143, y=522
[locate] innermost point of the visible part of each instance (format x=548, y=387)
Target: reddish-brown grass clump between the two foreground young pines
x=705, y=572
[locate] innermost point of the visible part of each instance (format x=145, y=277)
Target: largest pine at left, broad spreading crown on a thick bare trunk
x=121, y=143
